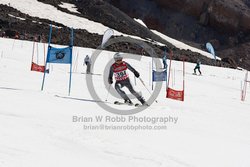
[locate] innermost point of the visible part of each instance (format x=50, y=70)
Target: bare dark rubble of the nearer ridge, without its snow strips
x=99, y=11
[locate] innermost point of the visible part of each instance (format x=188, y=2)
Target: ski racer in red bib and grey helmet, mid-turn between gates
x=119, y=69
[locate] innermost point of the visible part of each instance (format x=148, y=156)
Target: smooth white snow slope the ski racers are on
x=37, y=128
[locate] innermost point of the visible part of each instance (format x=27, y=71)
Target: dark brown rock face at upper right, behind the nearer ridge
x=224, y=22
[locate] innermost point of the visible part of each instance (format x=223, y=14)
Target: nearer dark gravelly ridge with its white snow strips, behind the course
x=31, y=18
